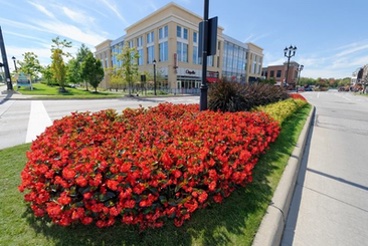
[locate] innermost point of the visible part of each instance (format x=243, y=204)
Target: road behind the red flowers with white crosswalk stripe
x=22, y=121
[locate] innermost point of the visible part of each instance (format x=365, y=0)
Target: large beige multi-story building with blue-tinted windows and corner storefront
x=170, y=37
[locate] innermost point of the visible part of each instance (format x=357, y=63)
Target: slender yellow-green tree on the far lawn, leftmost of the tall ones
x=57, y=57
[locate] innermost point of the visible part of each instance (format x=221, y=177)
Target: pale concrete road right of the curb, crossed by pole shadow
x=330, y=203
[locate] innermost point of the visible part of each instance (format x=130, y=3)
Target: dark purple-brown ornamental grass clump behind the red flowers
x=227, y=96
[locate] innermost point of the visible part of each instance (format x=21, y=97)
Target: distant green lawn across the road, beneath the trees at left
x=44, y=90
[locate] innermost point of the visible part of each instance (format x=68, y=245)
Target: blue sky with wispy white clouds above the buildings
x=331, y=35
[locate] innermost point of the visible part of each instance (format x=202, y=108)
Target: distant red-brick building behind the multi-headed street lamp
x=279, y=73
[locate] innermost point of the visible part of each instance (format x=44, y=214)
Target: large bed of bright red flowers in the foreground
x=142, y=167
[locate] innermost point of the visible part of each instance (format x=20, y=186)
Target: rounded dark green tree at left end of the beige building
x=92, y=70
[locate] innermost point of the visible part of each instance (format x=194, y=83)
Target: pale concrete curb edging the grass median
x=273, y=223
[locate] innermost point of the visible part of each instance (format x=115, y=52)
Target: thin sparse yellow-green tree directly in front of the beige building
x=129, y=68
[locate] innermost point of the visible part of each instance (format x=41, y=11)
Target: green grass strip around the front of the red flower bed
x=234, y=222
